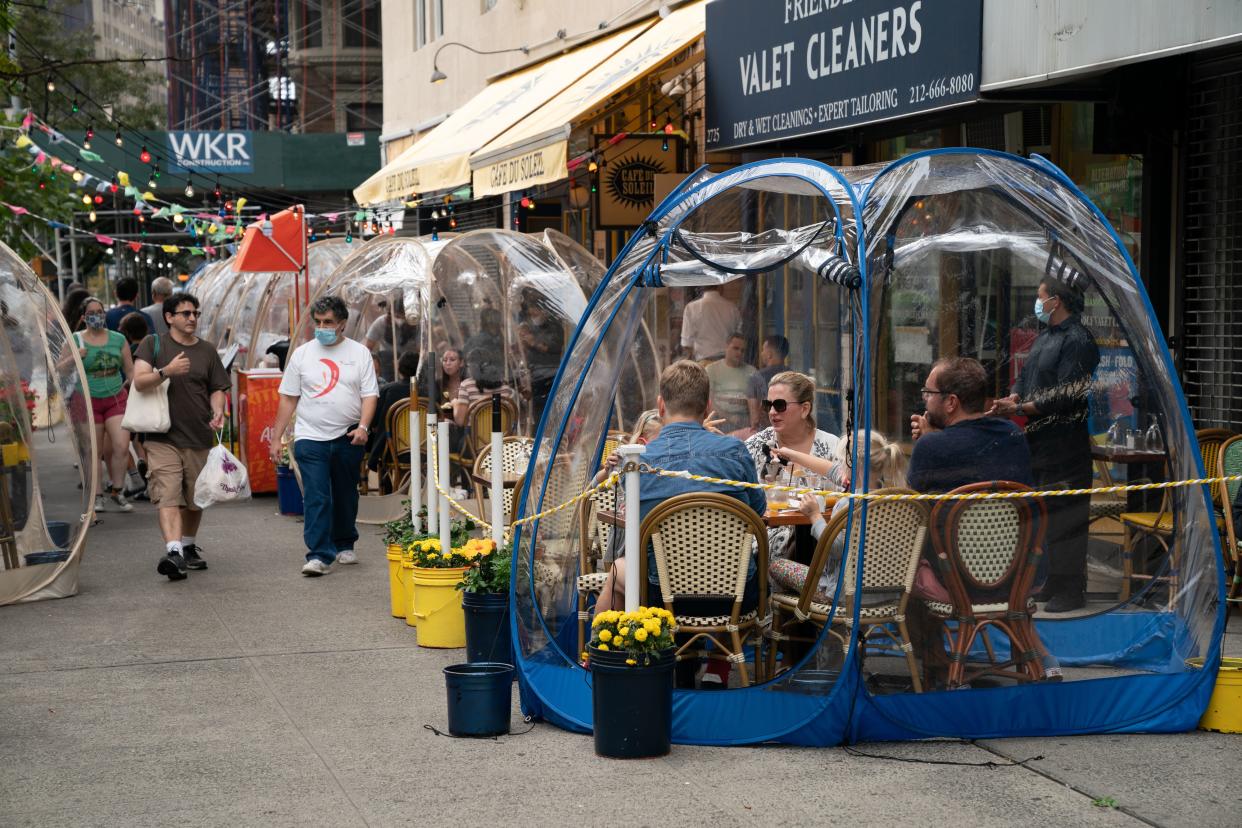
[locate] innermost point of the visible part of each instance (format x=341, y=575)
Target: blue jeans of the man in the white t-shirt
x=330, y=493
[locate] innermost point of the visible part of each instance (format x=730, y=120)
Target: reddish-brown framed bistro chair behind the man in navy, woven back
x=990, y=547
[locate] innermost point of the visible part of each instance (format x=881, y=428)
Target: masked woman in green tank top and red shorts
x=110, y=368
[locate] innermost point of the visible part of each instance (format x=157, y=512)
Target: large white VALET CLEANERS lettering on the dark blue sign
x=885, y=35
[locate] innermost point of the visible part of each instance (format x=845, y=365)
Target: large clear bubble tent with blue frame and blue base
x=937, y=255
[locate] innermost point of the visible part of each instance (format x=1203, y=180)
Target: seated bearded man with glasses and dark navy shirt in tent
x=956, y=443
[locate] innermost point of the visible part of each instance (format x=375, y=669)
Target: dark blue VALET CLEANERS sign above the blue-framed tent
x=781, y=69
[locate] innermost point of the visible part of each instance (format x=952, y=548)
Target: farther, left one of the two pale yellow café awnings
x=442, y=160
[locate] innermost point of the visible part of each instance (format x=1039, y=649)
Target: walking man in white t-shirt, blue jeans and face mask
x=331, y=383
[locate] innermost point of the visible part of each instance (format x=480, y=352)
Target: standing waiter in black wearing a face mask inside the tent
x=1053, y=394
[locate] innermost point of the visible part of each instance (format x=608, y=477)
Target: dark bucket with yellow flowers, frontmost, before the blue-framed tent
x=632, y=662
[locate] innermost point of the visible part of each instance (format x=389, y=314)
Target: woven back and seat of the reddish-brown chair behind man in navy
x=990, y=546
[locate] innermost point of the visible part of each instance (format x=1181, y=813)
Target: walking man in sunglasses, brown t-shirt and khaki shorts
x=197, y=394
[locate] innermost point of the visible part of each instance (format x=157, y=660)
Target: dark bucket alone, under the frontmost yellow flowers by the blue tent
x=632, y=706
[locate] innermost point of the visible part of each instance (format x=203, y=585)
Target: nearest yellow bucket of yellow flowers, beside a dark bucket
x=437, y=608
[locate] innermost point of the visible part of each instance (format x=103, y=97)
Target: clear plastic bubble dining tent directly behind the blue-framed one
x=474, y=292
